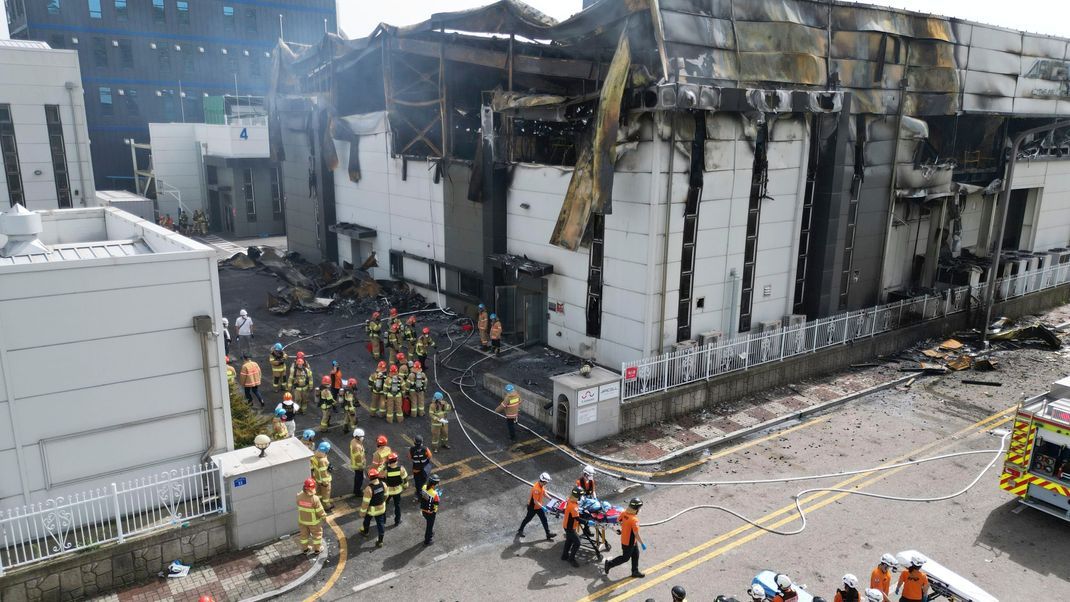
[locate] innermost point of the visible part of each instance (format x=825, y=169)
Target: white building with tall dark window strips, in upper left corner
x=43, y=137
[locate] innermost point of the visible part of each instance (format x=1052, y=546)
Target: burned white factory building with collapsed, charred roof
x=653, y=173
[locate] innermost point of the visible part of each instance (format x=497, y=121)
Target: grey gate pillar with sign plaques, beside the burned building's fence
x=587, y=409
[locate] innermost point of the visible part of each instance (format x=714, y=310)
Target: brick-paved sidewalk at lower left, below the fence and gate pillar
x=256, y=574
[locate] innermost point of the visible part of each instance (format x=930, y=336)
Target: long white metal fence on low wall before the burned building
x=741, y=352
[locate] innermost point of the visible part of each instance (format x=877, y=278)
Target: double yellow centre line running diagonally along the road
x=830, y=499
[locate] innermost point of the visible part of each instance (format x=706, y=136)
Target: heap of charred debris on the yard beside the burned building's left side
x=312, y=287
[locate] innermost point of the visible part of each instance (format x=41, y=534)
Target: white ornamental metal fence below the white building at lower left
x=67, y=524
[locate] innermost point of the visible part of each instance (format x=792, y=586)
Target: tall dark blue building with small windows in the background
x=141, y=58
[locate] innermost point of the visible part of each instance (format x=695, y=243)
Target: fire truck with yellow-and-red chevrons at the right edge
x=1037, y=468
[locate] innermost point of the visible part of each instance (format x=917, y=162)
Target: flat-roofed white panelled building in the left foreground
x=111, y=367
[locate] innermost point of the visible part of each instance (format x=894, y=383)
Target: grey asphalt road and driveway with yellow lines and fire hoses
x=984, y=535
